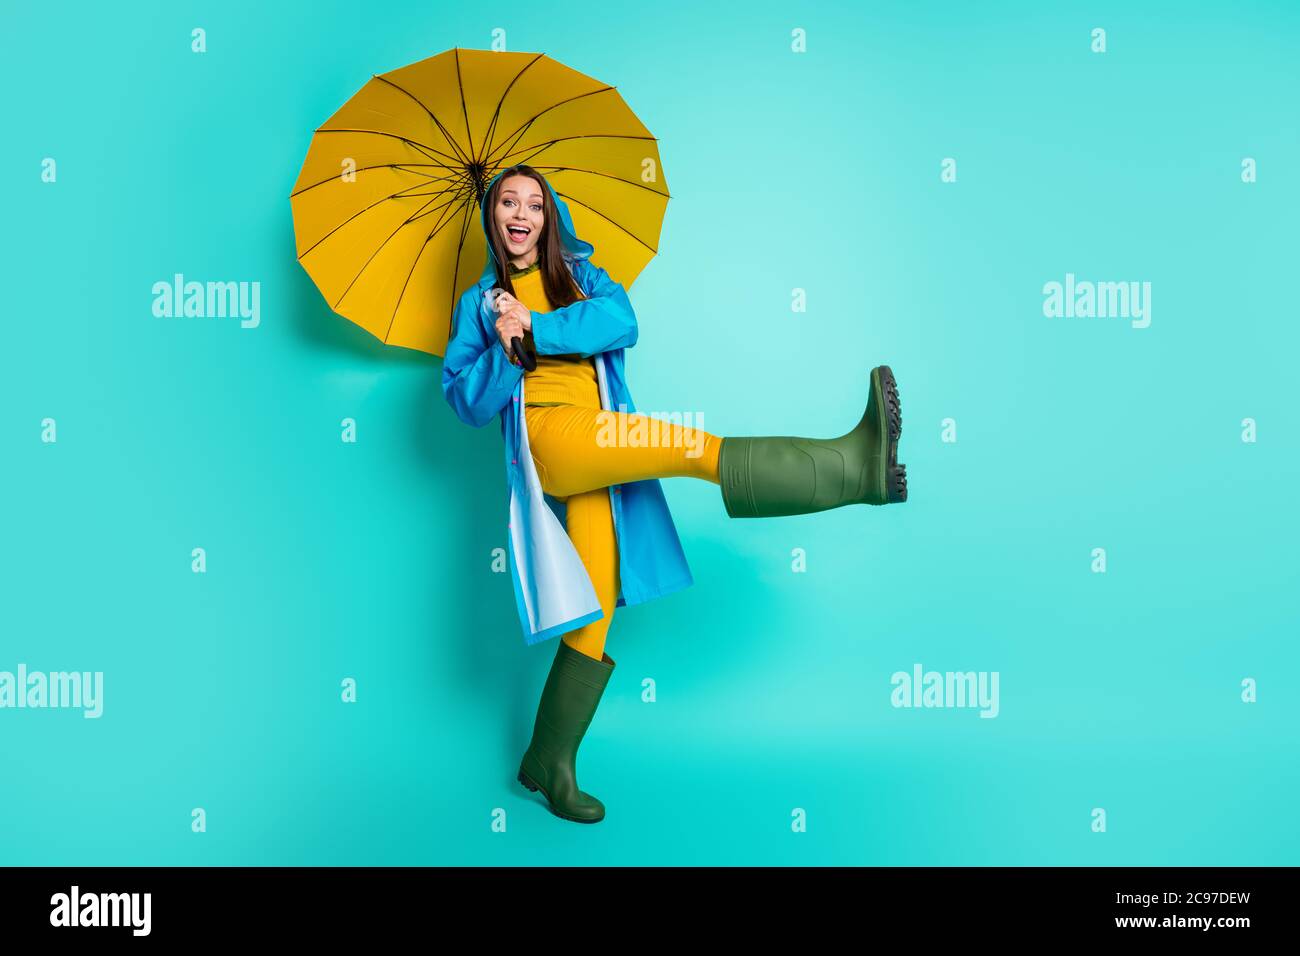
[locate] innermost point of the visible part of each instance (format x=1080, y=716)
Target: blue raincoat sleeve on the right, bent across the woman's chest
x=600, y=323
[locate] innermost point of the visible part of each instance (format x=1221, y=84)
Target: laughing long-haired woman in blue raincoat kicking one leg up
x=618, y=546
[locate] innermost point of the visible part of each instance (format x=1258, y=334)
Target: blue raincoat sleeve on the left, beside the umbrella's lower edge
x=478, y=377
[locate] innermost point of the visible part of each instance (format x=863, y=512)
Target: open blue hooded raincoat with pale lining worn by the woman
x=553, y=591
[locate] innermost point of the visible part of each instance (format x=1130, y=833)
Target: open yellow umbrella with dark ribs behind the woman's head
x=387, y=207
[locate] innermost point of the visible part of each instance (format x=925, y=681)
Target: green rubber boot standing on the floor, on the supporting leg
x=569, y=704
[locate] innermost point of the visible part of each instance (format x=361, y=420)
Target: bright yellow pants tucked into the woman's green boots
x=582, y=452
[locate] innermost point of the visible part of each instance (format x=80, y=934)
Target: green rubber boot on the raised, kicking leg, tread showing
x=770, y=477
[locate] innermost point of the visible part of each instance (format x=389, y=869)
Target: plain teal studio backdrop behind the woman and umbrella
x=817, y=171
